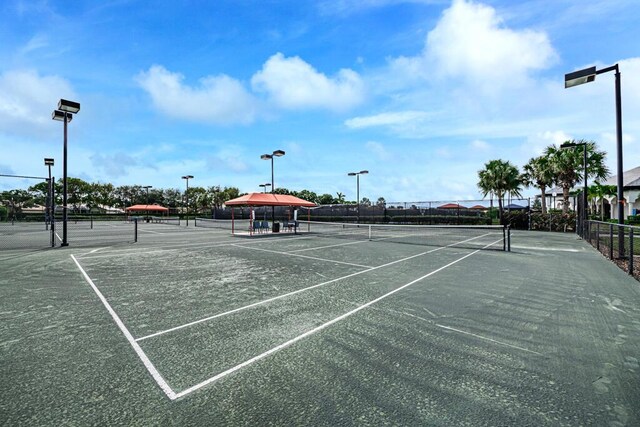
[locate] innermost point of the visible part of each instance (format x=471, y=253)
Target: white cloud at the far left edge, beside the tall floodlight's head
x=27, y=100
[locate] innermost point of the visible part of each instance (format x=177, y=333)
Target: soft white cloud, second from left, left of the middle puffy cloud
x=218, y=99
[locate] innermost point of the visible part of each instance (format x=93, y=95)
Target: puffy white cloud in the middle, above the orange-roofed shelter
x=292, y=83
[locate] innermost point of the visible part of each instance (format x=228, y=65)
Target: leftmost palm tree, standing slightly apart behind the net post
x=499, y=177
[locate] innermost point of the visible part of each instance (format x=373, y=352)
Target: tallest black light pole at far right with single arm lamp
x=588, y=75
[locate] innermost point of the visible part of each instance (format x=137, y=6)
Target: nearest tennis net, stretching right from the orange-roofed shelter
x=491, y=237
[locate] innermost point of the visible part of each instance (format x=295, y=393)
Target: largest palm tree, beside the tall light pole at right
x=568, y=166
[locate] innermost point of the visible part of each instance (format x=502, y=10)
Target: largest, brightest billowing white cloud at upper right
x=470, y=41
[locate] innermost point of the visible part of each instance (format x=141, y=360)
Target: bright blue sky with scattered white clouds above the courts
x=420, y=93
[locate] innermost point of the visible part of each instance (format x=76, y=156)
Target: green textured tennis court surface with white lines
x=193, y=326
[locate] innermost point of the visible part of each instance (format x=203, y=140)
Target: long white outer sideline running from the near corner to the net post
x=319, y=328
